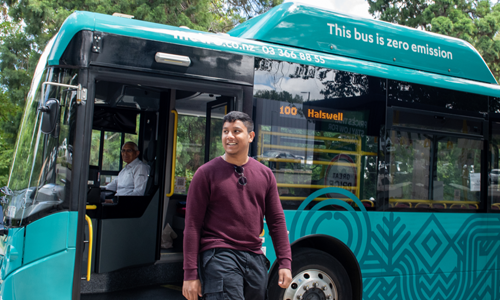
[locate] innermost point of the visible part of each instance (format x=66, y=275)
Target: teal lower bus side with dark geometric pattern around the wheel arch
x=405, y=255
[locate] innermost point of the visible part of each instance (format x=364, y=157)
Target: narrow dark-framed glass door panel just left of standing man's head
x=216, y=110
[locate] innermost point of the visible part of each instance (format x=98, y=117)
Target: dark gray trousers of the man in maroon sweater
x=227, y=274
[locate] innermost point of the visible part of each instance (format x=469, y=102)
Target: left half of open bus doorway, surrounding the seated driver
x=124, y=227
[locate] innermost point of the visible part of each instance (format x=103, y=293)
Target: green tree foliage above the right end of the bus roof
x=475, y=21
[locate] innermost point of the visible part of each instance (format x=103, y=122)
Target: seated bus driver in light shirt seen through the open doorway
x=133, y=178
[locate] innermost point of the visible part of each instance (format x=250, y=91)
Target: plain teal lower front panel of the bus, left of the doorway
x=39, y=259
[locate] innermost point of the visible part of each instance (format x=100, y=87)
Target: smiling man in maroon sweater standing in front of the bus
x=226, y=203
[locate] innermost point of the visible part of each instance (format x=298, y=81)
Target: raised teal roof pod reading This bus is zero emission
x=308, y=27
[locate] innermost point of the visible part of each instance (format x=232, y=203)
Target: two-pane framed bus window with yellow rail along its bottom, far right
x=432, y=171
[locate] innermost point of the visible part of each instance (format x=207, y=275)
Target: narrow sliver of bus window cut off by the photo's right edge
x=494, y=170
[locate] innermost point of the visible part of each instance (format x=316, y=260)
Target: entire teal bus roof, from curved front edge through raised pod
x=476, y=76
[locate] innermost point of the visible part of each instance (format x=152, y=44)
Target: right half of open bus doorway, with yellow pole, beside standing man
x=197, y=134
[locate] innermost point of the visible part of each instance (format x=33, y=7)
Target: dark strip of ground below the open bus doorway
x=164, y=292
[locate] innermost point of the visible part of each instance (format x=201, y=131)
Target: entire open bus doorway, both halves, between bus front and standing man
x=175, y=128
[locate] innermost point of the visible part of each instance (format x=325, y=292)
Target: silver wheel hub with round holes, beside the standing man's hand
x=311, y=284
